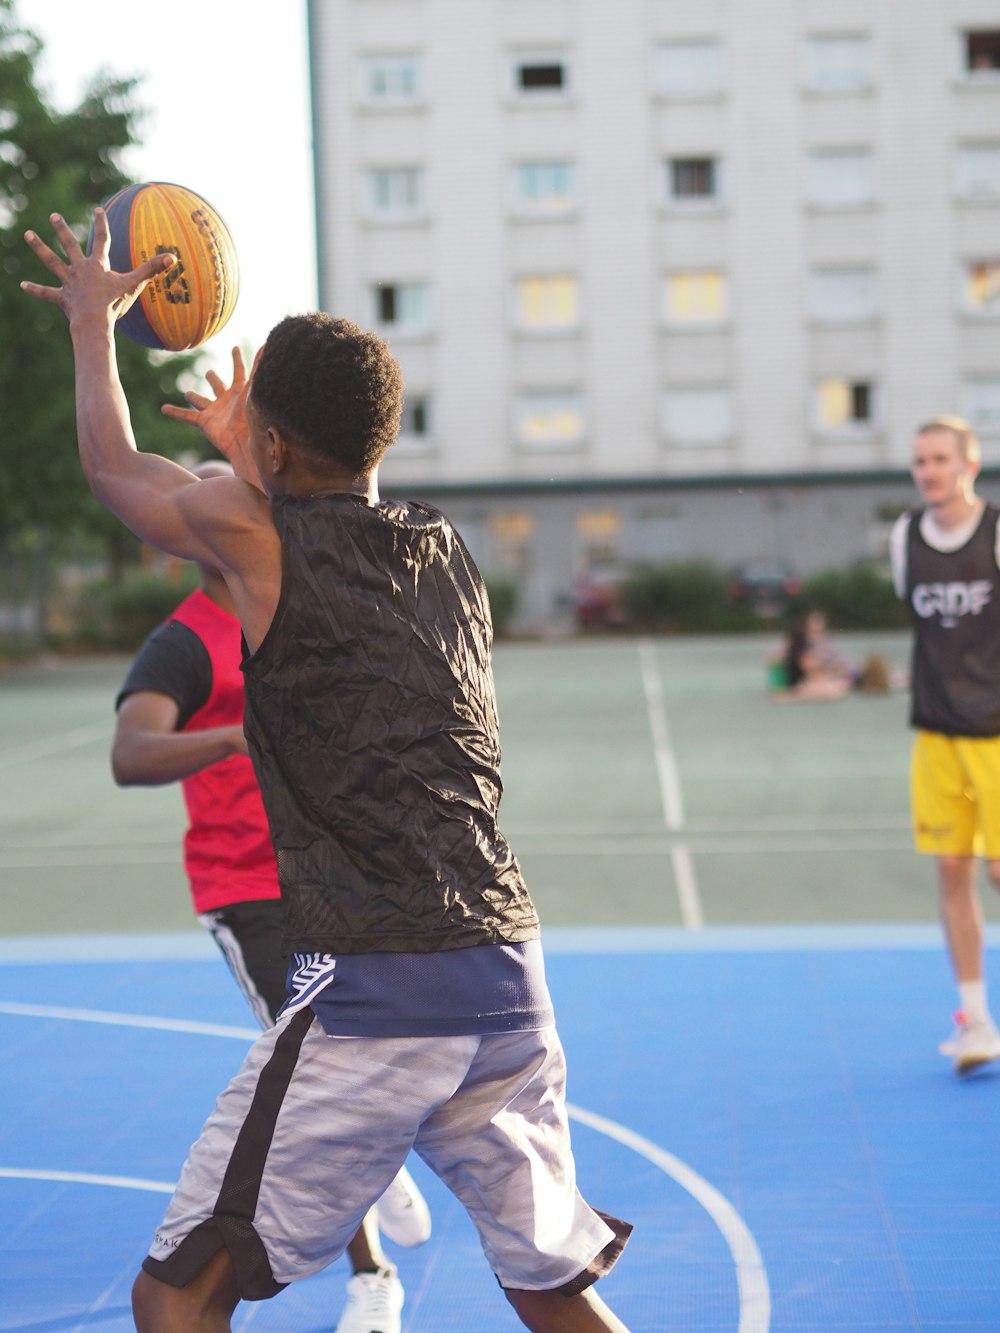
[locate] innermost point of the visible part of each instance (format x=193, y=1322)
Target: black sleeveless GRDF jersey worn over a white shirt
x=955, y=605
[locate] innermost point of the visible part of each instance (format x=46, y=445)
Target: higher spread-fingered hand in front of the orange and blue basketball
x=90, y=289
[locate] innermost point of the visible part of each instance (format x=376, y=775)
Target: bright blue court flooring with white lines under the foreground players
x=767, y=1106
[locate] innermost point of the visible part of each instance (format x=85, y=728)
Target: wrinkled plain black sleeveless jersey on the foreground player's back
x=371, y=720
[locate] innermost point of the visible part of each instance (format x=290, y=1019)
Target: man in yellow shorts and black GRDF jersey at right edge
x=945, y=559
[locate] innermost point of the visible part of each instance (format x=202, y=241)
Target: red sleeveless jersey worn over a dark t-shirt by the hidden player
x=227, y=850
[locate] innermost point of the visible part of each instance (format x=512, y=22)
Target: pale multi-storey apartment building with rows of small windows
x=666, y=278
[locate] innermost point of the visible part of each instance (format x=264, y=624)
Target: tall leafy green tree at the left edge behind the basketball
x=67, y=162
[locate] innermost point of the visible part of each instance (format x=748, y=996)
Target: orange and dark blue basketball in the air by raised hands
x=189, y=303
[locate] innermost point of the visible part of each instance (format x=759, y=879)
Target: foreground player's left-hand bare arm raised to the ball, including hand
x=158, y=499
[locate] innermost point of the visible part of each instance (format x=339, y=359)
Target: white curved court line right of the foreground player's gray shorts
x=751, y=1275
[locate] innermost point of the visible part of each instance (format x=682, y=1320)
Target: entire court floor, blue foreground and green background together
x=746, y=967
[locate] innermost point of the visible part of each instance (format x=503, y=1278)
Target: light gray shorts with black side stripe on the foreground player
x=313, y=1130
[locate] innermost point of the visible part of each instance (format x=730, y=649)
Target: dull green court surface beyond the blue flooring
x=647, y=783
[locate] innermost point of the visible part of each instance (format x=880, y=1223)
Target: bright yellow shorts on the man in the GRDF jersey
x=955, y=795
